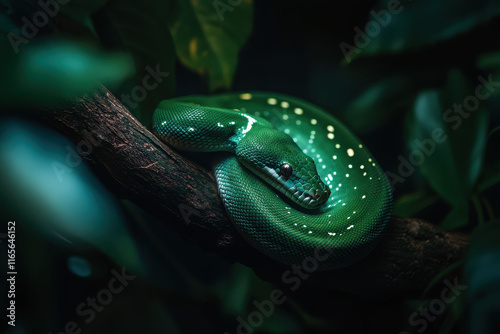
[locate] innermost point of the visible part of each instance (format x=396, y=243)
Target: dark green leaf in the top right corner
x=436, y=21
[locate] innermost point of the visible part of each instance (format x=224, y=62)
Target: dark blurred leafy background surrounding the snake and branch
x=410, y=63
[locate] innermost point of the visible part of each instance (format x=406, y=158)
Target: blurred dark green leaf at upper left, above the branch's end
x=54, y=71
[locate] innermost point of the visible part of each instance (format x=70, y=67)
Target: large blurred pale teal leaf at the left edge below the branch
x=47, y=186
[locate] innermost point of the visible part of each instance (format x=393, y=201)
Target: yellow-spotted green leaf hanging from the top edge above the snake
x=208, y=36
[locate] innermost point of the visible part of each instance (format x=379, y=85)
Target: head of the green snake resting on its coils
x=275, y=157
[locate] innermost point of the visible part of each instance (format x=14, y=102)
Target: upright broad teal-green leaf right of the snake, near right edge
x=447, y=142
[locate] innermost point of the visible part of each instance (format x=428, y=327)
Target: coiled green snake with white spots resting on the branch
x=296, y=183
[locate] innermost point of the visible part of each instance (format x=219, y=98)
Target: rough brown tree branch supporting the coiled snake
x=184, y=194
